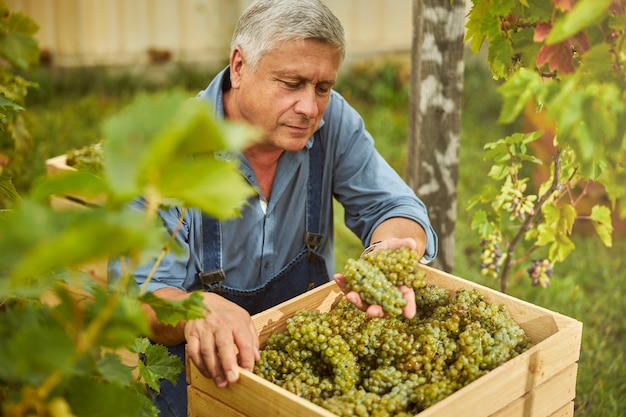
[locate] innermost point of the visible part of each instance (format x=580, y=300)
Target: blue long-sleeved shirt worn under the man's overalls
x=257, y=245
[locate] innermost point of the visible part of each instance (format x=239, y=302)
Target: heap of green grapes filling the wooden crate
x=356, y=365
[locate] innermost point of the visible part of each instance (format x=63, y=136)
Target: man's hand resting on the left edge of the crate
x=215, y=341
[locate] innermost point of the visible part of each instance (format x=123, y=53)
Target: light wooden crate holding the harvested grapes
x=541, y=382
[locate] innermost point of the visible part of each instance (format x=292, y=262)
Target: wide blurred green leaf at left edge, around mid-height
x=36, y=239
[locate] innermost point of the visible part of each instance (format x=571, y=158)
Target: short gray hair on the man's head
x=267, y=22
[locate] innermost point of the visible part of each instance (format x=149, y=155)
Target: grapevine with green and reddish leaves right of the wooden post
x=557, y=59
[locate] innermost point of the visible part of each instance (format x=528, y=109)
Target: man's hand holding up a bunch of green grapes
x=375, y=310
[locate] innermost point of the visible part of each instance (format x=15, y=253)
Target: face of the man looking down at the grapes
x=287, y=94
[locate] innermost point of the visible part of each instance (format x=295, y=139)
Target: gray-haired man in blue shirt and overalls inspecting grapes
x=284, y=60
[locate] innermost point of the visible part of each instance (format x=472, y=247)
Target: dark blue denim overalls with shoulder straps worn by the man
x=306, y=271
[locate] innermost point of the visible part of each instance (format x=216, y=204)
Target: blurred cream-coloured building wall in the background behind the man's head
x=132, y=32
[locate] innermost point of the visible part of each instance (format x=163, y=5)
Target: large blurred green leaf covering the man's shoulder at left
x=162, y=132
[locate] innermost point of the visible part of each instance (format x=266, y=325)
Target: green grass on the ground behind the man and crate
x=65, y=113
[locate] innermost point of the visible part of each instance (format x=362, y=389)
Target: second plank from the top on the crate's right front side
x=546, y=399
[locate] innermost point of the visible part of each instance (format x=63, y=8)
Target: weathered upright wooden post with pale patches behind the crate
x=435, y=115
